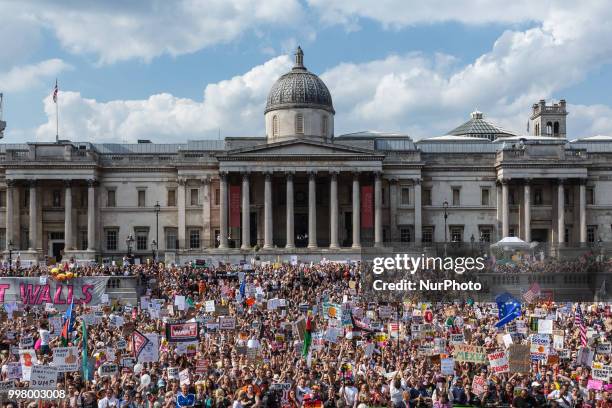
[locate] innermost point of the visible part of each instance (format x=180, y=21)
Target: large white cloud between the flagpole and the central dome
x=234, y=106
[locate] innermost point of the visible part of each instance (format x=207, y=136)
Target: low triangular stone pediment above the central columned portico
x=300, y=148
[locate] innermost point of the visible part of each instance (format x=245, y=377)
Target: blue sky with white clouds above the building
x=172, y=71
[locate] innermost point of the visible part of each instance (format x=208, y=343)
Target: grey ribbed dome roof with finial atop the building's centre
x=299, y=88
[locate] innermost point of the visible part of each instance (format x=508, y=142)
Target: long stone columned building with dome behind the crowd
x=301, y=189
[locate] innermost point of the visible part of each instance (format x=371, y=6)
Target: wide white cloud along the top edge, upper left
x=118, y=30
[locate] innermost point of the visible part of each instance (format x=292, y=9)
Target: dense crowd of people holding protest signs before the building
x=302, y=335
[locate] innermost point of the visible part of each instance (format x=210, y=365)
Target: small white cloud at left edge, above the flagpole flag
x=20, y=78
